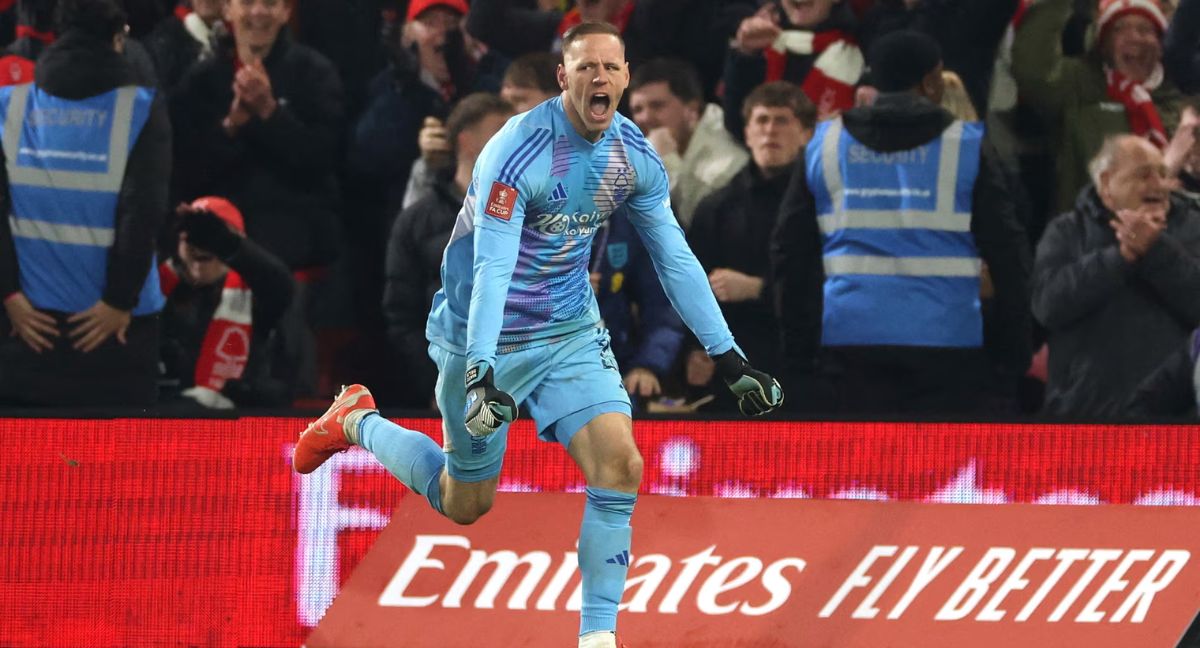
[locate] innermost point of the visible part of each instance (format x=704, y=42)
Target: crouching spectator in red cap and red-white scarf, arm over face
x=225, y=296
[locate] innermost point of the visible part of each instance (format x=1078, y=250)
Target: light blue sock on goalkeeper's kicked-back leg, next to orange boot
x=411, y=457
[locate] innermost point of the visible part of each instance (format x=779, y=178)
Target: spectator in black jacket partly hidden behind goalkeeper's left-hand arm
x=421, y=236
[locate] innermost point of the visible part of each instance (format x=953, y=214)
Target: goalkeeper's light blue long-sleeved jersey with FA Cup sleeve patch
x=515, y=273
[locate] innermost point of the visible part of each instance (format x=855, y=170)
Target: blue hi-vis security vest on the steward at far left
x=67, y=161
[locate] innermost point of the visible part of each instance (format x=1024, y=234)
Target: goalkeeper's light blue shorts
x=563, y=386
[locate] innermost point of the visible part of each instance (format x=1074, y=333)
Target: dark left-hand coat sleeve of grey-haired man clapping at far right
x=1069, y=284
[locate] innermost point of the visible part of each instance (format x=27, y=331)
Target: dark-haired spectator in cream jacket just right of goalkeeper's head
x=668, y=105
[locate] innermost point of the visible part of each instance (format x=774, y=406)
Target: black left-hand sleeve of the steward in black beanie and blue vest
x=799, y=274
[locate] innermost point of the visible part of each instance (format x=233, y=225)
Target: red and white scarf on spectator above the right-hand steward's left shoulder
x=838, y=65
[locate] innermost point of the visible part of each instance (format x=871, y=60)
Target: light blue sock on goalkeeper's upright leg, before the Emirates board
x=604, y=556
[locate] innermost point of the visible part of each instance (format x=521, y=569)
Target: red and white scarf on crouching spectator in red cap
x=226, y=346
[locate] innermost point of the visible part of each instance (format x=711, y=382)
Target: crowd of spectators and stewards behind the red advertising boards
x=917, y=208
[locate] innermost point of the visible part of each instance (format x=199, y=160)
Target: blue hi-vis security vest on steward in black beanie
x=902, y=267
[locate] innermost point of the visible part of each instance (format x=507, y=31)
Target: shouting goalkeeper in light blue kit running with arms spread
x=517, y=321
